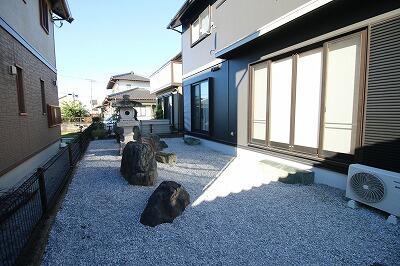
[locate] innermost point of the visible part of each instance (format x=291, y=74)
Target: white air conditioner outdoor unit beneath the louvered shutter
x=374, y=187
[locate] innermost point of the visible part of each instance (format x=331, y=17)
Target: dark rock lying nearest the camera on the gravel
x=166, y=203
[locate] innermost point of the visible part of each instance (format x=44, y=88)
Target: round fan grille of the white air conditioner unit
x=367, y=187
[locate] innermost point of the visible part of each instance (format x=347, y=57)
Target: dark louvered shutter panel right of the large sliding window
x=382, y=123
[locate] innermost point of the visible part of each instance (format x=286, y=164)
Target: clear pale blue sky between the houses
x=113, y=37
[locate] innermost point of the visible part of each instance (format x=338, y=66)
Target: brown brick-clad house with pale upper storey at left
x=30, y=115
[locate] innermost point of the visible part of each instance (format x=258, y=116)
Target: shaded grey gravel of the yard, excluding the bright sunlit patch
x=272, y=224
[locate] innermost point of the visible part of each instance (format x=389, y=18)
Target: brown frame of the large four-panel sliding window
x=308, y=152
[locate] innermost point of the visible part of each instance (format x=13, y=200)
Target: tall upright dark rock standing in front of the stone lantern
x=138, y=164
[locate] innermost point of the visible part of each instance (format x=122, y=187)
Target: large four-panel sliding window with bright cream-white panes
x=309, y=103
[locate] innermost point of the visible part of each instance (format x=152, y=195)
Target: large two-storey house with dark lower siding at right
x=314, y=82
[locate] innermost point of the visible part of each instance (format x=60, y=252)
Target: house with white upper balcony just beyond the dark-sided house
x=166, y=83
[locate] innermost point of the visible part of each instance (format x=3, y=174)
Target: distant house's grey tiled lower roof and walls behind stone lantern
x=143, y=96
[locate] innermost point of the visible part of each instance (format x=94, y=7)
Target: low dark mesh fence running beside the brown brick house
x=22, y=209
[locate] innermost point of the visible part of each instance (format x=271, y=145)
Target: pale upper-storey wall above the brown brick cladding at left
x=25, y=19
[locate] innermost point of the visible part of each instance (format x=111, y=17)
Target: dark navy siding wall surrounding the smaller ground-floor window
x=223, y=103
